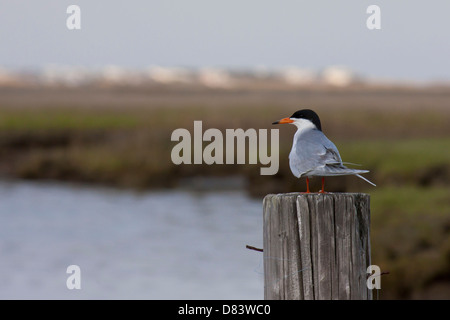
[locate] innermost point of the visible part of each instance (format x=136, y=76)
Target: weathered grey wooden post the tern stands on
x=316, y=246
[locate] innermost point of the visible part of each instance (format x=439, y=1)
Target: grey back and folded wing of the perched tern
x=312, y=150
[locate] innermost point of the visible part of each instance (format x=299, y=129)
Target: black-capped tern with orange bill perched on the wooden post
x=312, y=153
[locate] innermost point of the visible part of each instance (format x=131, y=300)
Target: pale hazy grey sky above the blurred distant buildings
x=413, y=43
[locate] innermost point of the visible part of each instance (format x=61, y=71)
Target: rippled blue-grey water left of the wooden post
x=153, y=245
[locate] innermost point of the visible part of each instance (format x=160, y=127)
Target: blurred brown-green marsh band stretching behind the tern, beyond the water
x=121, y=136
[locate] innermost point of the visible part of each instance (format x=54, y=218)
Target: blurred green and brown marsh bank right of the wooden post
x=410, y=239
